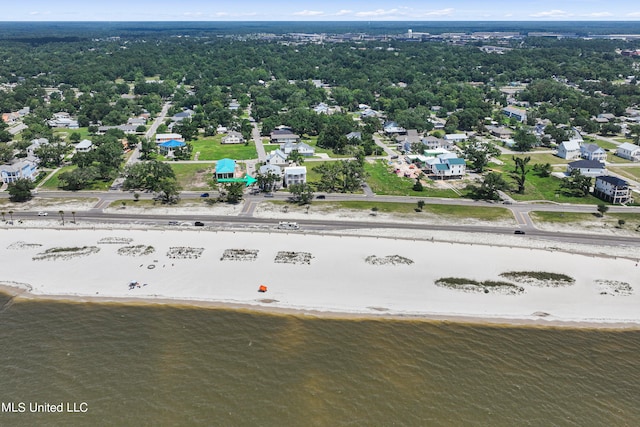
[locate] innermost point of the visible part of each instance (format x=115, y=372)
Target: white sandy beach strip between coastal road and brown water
x=337, y=279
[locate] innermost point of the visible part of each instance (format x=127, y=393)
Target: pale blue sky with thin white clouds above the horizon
x=325, y=10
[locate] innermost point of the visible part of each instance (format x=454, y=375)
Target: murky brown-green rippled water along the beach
x=146, y=365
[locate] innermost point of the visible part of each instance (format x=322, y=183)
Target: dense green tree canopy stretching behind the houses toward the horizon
x=568, y=79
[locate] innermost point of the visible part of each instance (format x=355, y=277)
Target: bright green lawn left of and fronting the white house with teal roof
x=383, y=181
